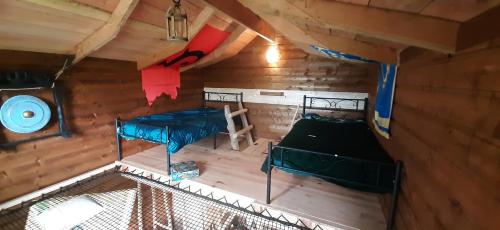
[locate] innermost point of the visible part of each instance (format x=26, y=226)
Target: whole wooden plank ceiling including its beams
x=134, y=30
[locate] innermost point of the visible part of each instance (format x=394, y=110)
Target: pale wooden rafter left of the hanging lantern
x=107, y=32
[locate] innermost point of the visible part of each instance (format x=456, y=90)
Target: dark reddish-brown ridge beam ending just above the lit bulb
x=244, y=16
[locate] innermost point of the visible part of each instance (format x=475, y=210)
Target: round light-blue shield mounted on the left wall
x=24, y=114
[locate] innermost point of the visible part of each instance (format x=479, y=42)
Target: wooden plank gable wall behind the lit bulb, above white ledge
x=296, y=70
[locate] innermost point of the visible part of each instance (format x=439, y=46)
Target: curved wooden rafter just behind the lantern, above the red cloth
x=174, y=47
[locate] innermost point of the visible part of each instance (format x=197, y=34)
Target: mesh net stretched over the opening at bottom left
x=129, y=201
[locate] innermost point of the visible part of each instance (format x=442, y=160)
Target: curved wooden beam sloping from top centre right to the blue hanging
x=298, y=36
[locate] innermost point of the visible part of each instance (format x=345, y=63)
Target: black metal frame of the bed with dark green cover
x=338, y=104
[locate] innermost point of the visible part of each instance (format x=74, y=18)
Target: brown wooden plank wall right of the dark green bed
x=445, y=123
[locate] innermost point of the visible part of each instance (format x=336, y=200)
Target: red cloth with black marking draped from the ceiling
x=164, y=78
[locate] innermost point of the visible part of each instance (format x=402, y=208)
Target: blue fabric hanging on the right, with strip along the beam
x=385, y=88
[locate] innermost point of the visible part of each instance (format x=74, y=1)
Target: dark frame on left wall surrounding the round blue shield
x=33, y=81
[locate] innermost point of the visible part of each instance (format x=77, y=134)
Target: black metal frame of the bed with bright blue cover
x=206, y=97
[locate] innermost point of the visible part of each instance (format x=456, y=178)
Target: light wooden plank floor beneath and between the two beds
x=239, y=172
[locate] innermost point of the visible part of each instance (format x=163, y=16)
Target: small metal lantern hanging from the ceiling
x=176, y=20
